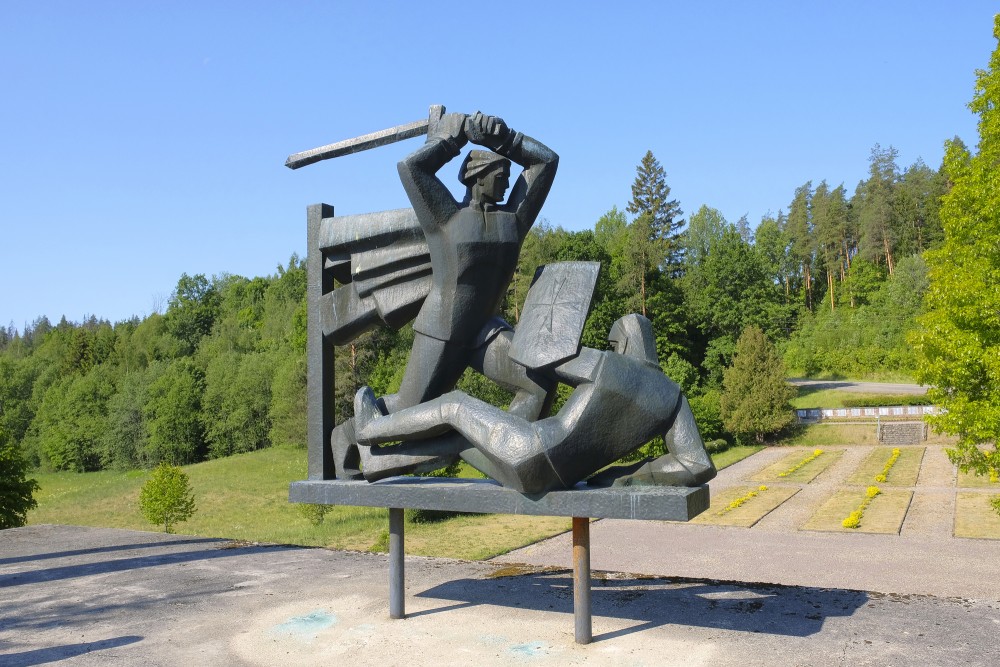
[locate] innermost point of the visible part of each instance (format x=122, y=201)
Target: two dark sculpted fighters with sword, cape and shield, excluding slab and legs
x=446, y=266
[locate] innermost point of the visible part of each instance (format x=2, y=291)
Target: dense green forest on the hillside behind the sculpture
x=835, y=280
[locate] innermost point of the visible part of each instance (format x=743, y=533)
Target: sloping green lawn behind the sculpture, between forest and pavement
x=245, y=497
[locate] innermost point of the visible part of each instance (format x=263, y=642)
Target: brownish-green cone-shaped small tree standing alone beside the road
x=755, y=396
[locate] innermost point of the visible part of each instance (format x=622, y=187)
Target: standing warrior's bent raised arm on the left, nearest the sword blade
x=432, y=201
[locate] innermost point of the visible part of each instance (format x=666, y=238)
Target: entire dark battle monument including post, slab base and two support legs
x=446, y=265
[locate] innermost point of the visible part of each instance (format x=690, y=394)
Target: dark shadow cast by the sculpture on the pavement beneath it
x=764, y=608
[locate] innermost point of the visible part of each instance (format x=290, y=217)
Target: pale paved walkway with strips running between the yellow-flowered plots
x=923, y=559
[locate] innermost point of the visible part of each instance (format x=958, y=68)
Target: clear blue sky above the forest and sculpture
x=143, y=140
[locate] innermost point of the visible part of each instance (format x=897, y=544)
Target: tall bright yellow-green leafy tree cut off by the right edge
x=959, y=344
